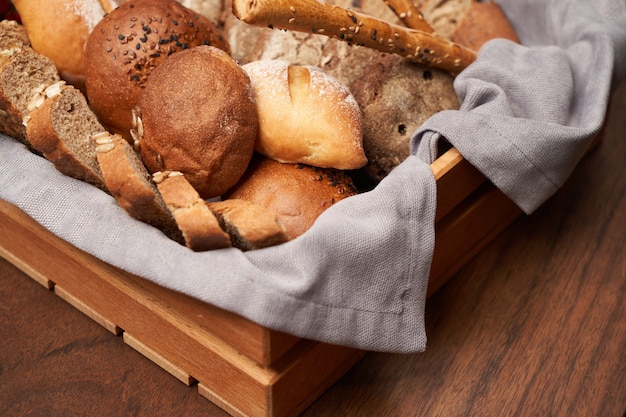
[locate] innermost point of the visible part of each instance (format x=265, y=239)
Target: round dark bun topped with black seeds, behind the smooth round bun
x=128, y=43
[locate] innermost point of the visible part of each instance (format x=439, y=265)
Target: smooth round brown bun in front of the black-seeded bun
x=197, y=115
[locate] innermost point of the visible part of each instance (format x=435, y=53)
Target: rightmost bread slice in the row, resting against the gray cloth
x=249, y=225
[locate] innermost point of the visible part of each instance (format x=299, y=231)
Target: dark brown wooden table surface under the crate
x=535, y=325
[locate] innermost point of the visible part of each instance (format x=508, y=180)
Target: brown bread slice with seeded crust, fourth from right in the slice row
x=61, y=127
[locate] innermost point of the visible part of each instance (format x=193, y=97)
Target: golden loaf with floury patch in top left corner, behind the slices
x=59, y=30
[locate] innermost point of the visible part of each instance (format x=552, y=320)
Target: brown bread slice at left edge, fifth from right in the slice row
x=23, y=72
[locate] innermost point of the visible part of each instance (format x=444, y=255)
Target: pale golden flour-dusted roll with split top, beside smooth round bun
x=306, y=116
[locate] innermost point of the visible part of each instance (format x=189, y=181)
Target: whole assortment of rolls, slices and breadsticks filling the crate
x=204, y=122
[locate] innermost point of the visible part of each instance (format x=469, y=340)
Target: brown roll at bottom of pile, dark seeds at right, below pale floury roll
x=297, y=193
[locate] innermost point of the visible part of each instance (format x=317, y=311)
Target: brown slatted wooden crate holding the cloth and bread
x=244, y=368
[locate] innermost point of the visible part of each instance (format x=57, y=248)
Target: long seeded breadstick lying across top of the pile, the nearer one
x=355, y=28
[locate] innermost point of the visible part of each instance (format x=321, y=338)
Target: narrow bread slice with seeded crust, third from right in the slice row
x=130, y=183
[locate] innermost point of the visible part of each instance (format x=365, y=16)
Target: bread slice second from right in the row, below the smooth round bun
x=198, y=224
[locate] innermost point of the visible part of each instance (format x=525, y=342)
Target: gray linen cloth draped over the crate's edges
x=358, y=277
